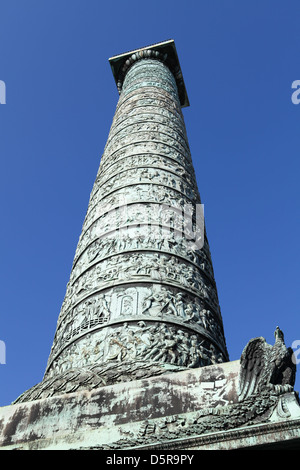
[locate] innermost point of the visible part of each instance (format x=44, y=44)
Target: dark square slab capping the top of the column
x=164, y=51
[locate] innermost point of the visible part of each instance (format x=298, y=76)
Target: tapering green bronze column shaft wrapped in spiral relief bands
x=142, y=285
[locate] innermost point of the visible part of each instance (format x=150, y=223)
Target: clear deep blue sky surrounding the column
x=239, y=59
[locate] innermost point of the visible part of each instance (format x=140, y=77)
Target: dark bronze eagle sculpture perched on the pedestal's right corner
x=266, y=367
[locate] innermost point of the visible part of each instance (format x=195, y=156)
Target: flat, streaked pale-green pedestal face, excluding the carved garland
x=113, y=412
